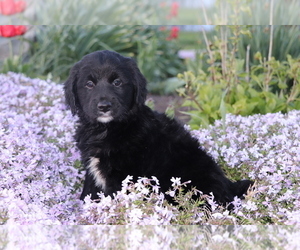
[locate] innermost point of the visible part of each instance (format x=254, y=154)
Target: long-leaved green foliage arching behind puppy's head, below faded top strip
x=57, y=48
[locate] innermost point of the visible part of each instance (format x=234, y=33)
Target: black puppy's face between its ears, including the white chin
x=105, y=91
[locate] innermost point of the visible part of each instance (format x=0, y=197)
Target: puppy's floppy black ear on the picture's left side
x=70, y=90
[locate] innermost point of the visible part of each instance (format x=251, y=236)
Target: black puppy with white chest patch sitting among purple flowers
x=119, y=135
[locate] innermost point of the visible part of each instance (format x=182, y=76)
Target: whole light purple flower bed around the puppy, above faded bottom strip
x=41, y=176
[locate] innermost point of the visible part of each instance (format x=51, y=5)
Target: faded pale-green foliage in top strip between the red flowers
x=97, y=12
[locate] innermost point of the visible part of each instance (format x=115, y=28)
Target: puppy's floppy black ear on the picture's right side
x=140, y=83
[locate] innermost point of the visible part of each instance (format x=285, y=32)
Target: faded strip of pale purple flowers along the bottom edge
x=149, y=237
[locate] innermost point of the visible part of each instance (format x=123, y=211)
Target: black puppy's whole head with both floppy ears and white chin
x=105, y=86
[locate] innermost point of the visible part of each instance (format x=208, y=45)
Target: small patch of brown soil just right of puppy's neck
x=161, y=103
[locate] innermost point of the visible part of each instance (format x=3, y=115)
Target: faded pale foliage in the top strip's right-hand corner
x=244, y=12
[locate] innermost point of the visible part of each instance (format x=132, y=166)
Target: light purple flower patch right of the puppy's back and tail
x=264, y=148
